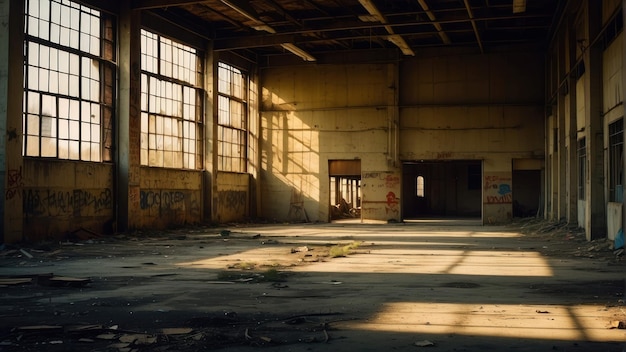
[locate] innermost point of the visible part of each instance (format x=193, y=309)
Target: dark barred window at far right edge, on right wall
x=616, y=160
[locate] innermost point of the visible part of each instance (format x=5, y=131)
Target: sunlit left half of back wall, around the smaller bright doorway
x=314, y=113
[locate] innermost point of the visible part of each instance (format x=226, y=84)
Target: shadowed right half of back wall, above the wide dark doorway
x=474, y=106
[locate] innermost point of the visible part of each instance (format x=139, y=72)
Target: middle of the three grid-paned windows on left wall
x=171, y=103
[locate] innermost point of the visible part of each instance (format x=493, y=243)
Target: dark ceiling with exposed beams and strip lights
x=314, y=28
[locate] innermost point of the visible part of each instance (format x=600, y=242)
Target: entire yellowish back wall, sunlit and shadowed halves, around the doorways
x=452, y=105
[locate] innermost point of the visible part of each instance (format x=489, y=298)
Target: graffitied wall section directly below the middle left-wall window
x=170, y=197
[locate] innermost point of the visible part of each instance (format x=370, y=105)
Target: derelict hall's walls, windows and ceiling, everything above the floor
x=150, y=114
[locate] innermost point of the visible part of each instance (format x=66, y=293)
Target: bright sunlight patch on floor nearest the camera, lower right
x=503, y=320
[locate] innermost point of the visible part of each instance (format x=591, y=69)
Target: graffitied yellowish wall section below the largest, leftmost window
x=60, y=197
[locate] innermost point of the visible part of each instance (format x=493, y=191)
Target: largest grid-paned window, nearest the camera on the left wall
x=69, y=81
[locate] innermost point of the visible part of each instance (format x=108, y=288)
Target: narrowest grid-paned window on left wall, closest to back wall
x=232, y=121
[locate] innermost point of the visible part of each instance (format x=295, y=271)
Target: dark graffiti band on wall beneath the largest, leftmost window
x=77, y=202
